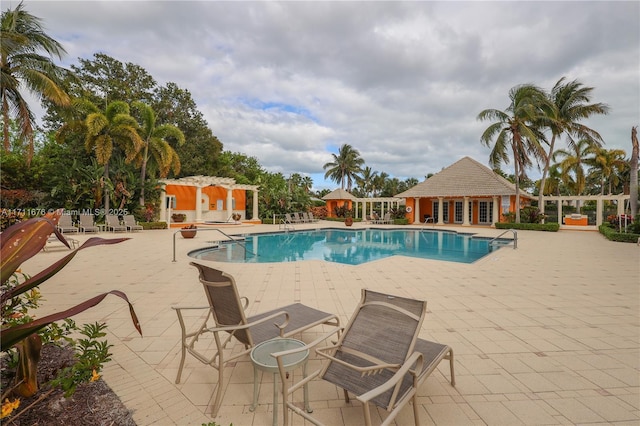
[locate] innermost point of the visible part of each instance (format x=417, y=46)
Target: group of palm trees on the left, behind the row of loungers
x=115, y=133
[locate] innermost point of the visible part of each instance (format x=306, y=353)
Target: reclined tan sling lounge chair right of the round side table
x=379, y=357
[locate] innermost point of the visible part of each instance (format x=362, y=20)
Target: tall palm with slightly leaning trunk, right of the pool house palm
x=568, y=104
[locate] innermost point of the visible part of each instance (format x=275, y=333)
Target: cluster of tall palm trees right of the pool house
x=530, y=127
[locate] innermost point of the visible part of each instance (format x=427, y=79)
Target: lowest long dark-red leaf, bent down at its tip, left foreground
x=11, y=336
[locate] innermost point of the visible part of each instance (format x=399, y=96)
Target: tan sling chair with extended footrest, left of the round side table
x=227, y=309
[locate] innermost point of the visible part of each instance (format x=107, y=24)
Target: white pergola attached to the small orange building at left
x=200, y=182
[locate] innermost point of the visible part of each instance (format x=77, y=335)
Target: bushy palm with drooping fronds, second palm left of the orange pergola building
x=114, y=127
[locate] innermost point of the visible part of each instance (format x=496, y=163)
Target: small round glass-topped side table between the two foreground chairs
x=262, y=360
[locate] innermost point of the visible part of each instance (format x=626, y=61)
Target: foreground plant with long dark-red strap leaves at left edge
x=19, y=243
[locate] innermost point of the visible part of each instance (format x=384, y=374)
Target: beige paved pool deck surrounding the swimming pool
x=545, y=334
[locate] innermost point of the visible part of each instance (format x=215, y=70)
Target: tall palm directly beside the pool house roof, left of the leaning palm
x=515, y=129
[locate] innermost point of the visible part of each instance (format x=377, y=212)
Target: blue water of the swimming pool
x=351, y=247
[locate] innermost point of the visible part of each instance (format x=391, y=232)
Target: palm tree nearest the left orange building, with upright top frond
x=156, y=143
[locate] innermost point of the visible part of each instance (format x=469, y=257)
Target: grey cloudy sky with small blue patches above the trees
x=402, y=82
